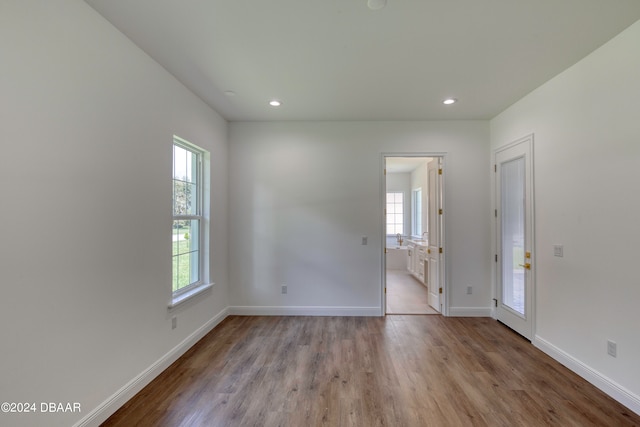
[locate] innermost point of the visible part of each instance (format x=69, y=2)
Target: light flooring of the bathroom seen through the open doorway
x=405, y=295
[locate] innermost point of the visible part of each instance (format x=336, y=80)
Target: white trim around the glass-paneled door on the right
x=528, y=139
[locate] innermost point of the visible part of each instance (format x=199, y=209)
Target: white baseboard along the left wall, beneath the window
x=119, y=398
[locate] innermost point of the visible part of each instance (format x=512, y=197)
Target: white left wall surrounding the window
x=86, y=123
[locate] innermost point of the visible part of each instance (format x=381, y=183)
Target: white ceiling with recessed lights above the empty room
x=339, y=60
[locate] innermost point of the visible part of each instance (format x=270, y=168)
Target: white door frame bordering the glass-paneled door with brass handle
x=529, y=140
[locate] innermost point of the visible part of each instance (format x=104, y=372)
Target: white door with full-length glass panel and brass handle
x=514, y=212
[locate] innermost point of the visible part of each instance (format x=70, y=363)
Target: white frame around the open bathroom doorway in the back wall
x=444, y=300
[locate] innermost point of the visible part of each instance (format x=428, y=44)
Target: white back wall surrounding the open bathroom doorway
x=303, y=194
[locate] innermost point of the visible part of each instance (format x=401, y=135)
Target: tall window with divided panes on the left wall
x=188, y=235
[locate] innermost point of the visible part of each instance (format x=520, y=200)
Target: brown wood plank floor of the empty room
x=357, y=371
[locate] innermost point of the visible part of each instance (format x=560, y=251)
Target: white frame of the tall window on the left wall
x=201, y=215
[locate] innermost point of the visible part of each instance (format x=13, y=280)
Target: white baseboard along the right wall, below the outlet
x=607, y=385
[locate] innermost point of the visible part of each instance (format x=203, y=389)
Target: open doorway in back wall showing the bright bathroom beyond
x=413, y=258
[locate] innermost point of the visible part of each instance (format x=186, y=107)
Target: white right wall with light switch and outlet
x=587, y=171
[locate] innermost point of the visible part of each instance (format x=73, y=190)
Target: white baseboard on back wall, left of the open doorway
x=304, y=311
